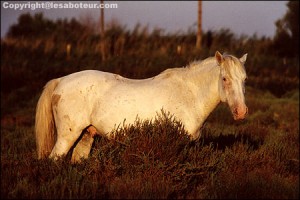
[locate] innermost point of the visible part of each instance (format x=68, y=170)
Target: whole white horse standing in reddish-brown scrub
x=103, y=101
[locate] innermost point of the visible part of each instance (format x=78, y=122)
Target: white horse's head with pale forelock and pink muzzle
x=231, y=83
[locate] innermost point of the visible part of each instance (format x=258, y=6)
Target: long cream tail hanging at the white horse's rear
x=44, y=121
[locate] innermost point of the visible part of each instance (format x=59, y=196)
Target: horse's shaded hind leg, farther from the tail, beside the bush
x=83, y=148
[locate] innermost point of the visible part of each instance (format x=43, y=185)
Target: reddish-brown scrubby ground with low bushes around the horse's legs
x=254, y=158
